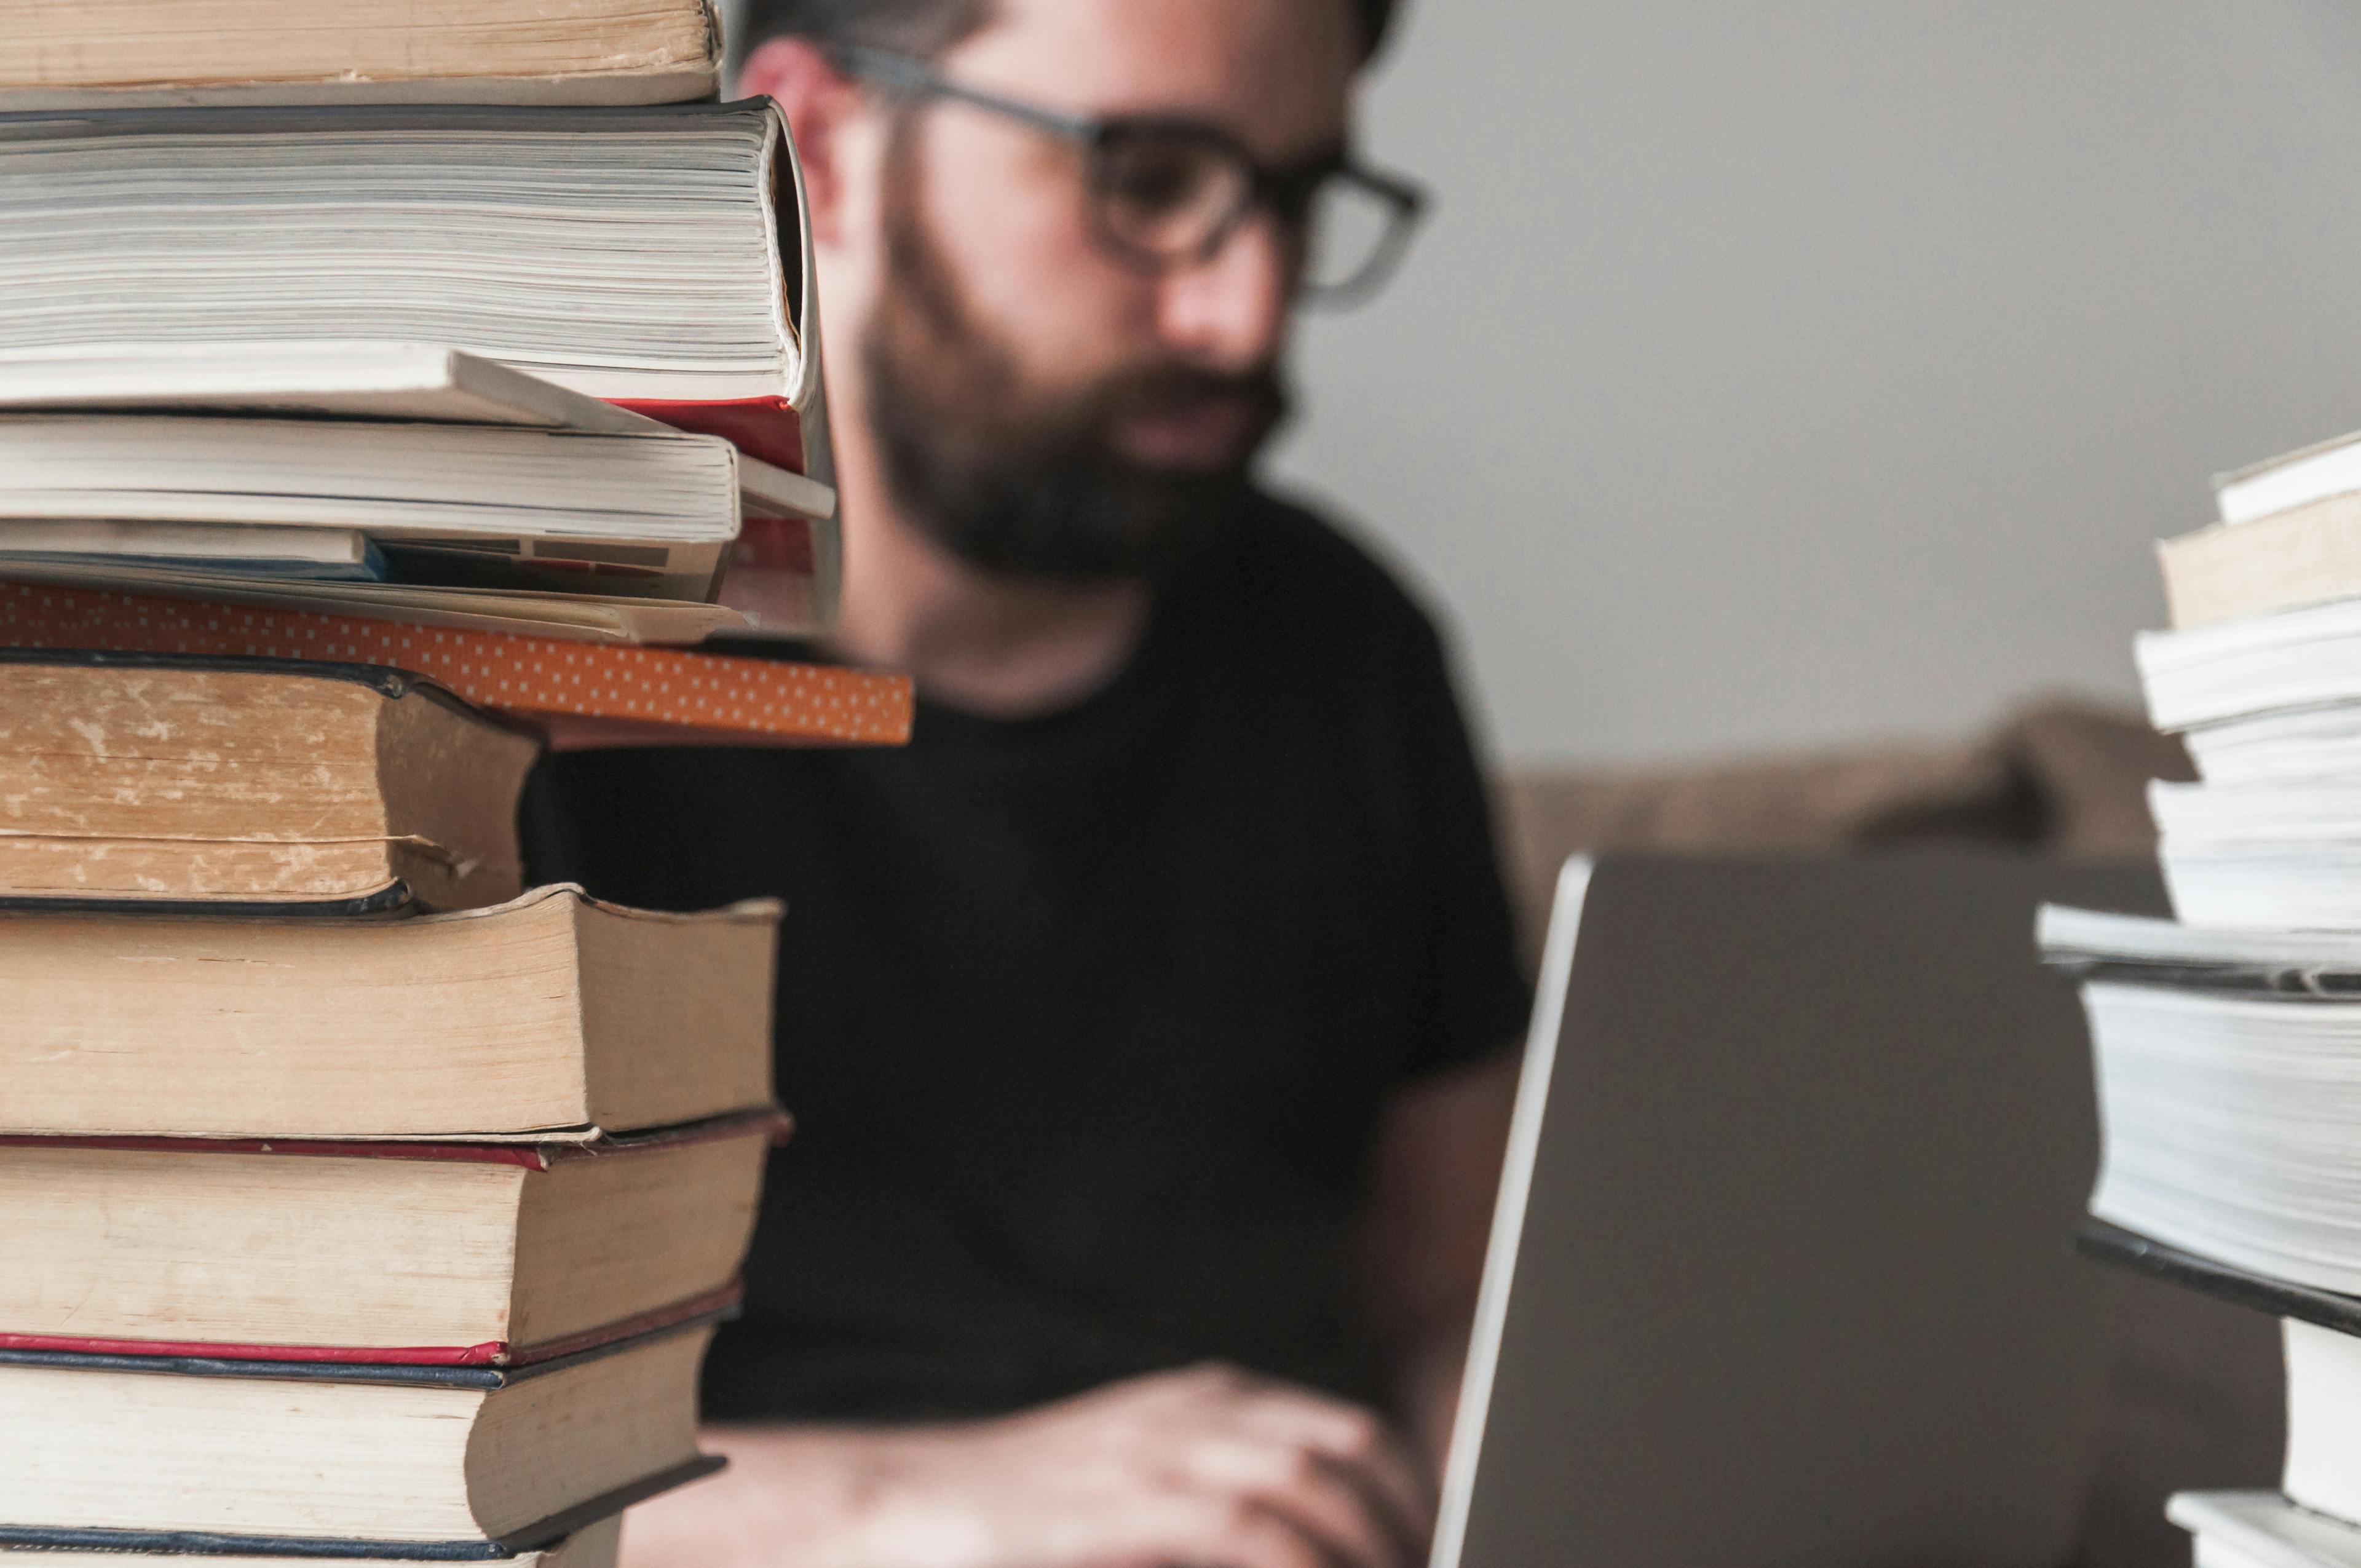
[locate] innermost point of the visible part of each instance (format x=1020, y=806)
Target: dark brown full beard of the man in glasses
x=1016, y=481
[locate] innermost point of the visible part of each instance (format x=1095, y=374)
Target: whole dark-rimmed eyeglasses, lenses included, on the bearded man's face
x=1170, y=190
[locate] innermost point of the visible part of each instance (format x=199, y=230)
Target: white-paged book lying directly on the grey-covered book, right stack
x=2263, y=854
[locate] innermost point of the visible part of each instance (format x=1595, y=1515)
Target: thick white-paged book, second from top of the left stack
x=655, y=259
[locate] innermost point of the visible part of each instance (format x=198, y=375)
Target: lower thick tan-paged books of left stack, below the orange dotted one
x=358, y=1201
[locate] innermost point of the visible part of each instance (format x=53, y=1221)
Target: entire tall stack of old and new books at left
x=381, y=396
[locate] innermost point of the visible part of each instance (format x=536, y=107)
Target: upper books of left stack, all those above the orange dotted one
x=431, y=313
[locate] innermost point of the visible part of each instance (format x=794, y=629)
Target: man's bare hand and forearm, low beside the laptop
x=1182, y=1470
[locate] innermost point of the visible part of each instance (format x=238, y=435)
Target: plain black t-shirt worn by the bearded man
x=1087, y=1019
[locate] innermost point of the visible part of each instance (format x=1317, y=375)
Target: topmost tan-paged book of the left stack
x=77, y=55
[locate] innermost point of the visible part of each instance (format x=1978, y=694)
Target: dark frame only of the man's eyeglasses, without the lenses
x=1286, y=192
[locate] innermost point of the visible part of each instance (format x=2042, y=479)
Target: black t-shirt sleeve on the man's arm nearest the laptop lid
x=1472, y=998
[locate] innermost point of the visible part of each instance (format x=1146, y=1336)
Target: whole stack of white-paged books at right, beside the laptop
x=2230, y=1040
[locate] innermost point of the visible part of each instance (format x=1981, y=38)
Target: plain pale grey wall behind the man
x=1822, y=374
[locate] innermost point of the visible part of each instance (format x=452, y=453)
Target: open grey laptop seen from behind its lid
x=1784, y=1257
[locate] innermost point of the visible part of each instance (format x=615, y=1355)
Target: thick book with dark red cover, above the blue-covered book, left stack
x=374, y=1253
